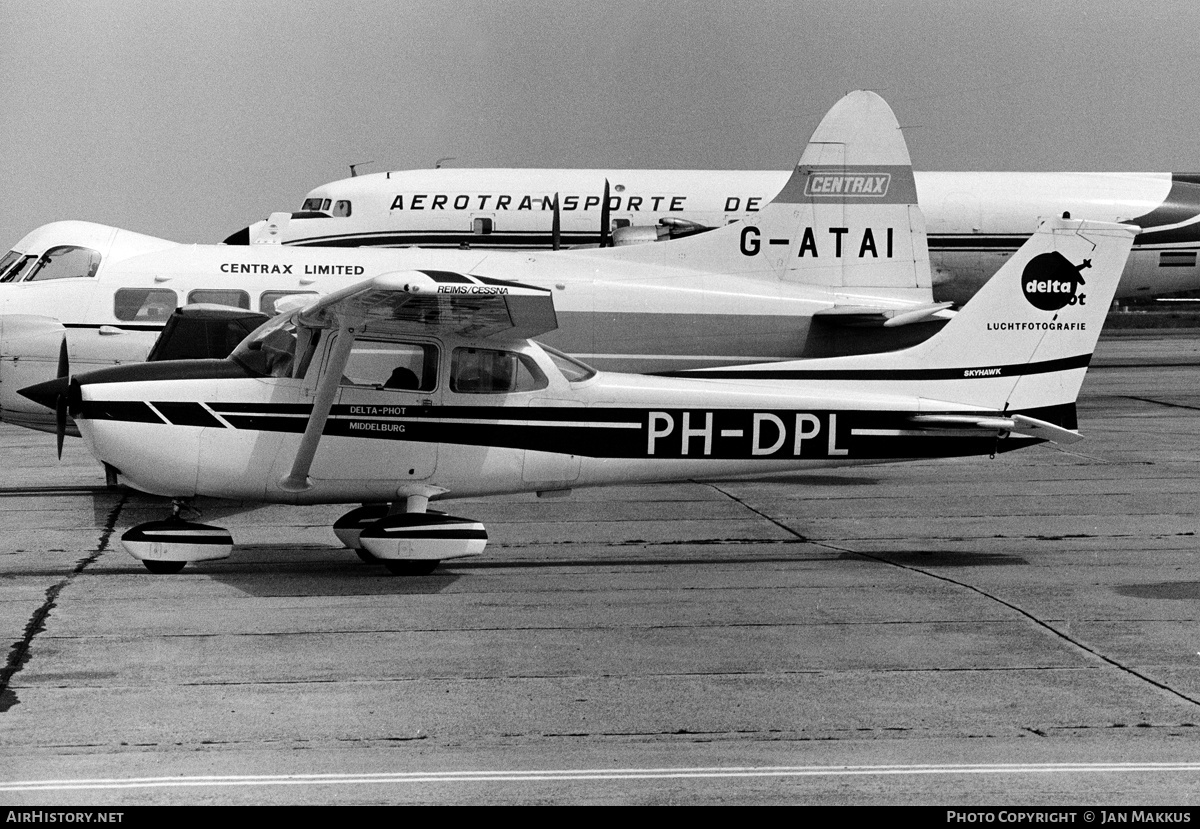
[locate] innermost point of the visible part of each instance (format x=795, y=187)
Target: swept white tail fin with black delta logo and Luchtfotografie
x=1023, y=343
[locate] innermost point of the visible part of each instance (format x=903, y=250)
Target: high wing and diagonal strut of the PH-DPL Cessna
x=409, y=303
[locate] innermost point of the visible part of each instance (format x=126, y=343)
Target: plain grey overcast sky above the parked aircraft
x=189, y=121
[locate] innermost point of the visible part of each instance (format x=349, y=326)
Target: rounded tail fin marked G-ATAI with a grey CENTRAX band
x=848, y=218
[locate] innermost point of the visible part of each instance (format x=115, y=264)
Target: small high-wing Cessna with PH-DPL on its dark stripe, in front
x=416, y=387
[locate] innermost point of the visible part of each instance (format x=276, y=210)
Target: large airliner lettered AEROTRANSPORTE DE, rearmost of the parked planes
x=975, y=220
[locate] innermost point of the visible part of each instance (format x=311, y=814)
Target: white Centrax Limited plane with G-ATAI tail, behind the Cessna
x=845, y=275
